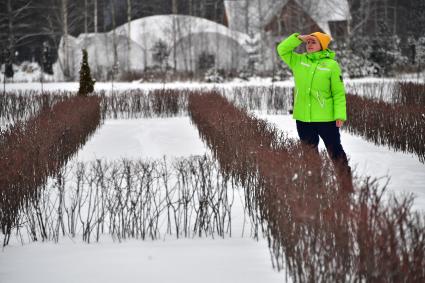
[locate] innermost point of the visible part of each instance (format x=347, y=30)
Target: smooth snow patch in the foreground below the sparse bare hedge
x=185, y=260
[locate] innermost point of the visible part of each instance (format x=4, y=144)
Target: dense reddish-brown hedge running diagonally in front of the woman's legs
x=319, y=232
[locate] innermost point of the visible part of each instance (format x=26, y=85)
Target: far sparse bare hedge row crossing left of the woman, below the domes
x=137, y=103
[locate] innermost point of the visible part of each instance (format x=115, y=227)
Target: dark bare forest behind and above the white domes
x=26, y=24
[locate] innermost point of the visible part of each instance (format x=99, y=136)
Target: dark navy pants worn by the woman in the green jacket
x=309, y=134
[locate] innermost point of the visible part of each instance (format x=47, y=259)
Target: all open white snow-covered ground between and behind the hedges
x=238, y=258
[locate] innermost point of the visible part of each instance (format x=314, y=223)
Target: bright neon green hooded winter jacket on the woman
x=319, y=89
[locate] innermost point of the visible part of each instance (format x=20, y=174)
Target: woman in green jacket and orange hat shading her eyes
x=319, y=102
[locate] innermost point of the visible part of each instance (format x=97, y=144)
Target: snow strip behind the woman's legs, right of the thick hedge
x=406, y=172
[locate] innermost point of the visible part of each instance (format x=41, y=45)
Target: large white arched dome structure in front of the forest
x=185, y=38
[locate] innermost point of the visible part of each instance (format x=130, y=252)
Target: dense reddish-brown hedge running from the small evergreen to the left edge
x=30, y=152
